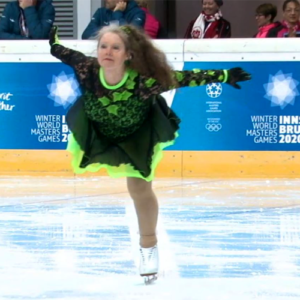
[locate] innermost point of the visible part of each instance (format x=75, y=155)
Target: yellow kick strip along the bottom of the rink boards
x=231, y=164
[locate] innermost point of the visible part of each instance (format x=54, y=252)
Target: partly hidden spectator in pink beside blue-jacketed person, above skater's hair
x=152, y=26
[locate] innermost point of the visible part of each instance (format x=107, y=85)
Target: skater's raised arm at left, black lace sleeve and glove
x=75, y=59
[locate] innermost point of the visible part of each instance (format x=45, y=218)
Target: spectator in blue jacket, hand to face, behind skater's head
x=118, y=12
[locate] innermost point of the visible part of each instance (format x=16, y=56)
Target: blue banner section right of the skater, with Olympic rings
x=263, y=115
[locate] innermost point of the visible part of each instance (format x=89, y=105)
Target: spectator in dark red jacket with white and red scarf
x=210, y=23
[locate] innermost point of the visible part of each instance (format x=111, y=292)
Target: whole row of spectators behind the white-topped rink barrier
x=33, y=19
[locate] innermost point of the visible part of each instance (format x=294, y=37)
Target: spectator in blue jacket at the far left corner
x=27, y=19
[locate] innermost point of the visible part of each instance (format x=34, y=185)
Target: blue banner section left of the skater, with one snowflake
x=34, y=98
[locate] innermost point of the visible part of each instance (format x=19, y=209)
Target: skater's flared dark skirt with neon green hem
x=136, y=155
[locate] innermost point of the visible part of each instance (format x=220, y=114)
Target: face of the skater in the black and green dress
x=112, y=52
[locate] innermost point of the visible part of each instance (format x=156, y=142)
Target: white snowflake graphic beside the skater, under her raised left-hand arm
x=64, y=89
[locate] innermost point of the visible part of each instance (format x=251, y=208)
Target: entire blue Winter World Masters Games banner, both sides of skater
x=263, y=115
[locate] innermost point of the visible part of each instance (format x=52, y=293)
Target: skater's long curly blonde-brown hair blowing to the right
x=146, y=59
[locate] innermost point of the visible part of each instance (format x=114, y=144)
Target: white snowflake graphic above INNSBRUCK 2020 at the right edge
x=281, y=89
